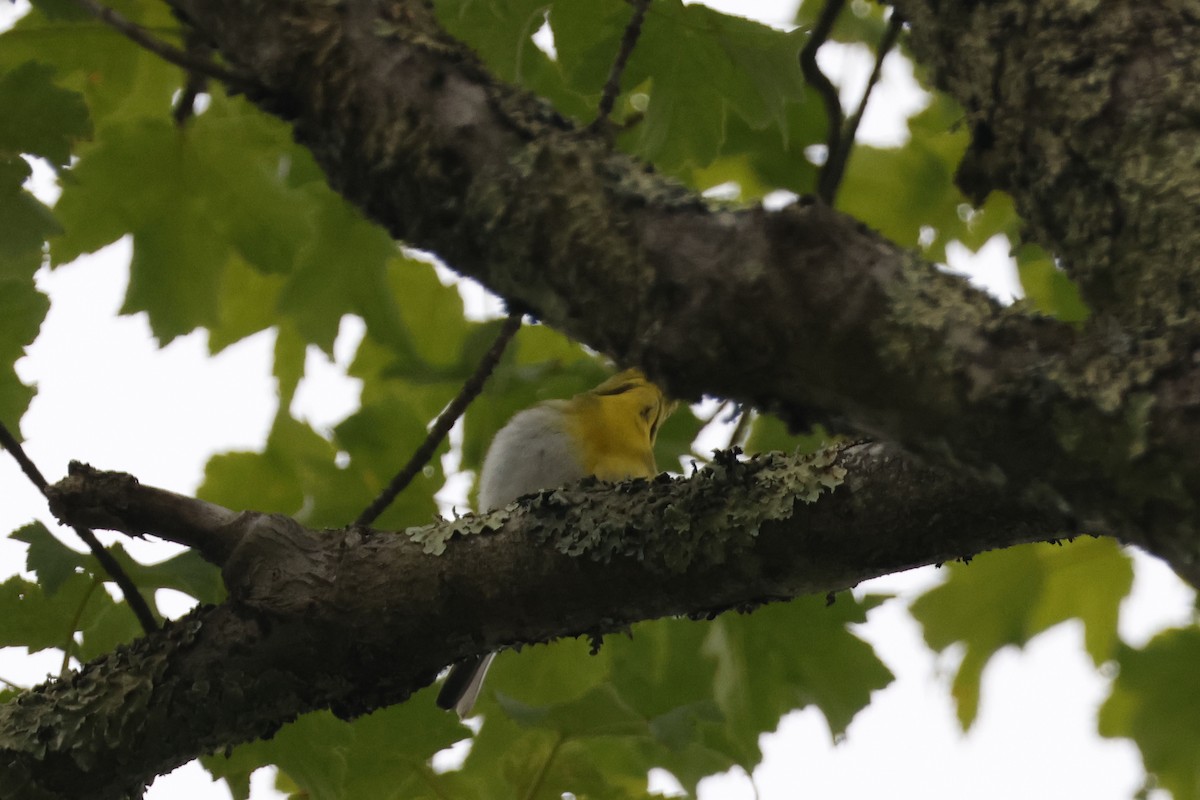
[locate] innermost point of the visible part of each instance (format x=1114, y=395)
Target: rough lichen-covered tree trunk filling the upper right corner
x=1090, y=117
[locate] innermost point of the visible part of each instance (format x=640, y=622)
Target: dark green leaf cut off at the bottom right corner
x=1154, y=703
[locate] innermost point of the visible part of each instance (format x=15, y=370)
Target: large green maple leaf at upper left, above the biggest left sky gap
x=212, y=200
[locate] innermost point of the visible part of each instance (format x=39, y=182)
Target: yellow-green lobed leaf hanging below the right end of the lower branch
x=1006, y=598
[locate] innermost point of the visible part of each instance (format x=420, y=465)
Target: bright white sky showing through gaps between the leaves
x=107, y=396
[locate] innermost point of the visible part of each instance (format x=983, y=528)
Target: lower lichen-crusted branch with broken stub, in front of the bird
x=317, y=619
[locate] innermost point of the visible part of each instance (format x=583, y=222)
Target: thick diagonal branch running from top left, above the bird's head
x=801, y=312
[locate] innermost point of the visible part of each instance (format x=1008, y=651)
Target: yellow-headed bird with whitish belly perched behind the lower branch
x=608, y=432
